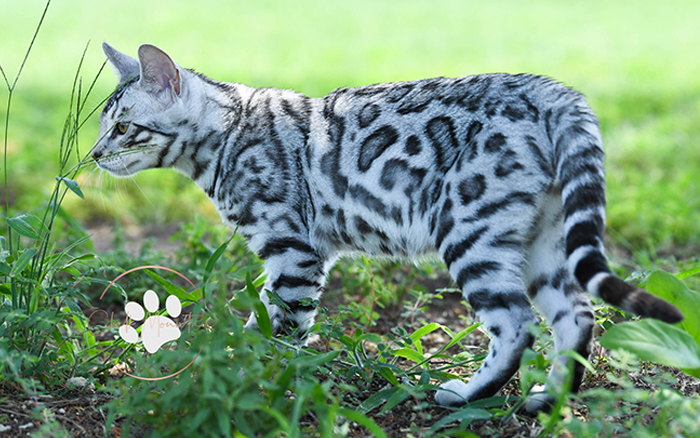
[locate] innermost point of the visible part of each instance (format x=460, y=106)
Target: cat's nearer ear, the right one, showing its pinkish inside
x=158, y=71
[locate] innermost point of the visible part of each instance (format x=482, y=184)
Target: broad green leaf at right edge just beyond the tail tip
x=671, y=289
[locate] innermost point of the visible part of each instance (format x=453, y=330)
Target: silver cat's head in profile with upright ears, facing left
x=136, y=125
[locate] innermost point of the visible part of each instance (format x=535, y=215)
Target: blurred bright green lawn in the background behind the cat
x=637, y=61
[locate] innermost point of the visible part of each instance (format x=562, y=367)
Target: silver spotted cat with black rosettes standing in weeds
x=501, y=174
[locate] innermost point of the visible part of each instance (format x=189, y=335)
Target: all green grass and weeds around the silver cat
x=633, y=60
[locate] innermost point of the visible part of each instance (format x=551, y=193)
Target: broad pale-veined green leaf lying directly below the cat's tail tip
x=654, y=341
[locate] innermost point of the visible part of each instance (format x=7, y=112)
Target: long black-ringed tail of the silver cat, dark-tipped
x=579, y=160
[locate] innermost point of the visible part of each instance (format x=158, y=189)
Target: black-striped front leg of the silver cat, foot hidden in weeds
x=296, y=274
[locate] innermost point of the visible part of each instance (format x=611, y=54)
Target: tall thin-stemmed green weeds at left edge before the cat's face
x=43, y=336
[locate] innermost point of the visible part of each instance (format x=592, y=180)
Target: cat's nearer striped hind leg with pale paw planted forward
x=492, y=282
